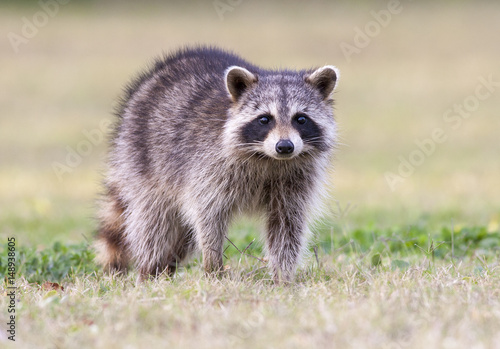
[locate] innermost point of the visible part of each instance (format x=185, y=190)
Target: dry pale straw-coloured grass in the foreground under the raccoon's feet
x=347, y=301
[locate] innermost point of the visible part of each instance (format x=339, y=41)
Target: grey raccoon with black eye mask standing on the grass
x=203, y=136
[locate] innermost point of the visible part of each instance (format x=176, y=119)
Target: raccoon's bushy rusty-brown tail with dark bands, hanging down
x=111, y=246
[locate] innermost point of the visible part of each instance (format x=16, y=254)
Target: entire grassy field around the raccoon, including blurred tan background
x=410, y=268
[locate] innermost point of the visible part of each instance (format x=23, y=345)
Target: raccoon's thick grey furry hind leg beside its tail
x=158, y=239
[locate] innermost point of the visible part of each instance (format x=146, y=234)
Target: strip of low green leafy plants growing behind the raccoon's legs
x=394, y=248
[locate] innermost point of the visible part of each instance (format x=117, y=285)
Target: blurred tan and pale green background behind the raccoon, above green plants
x=403, y=66
